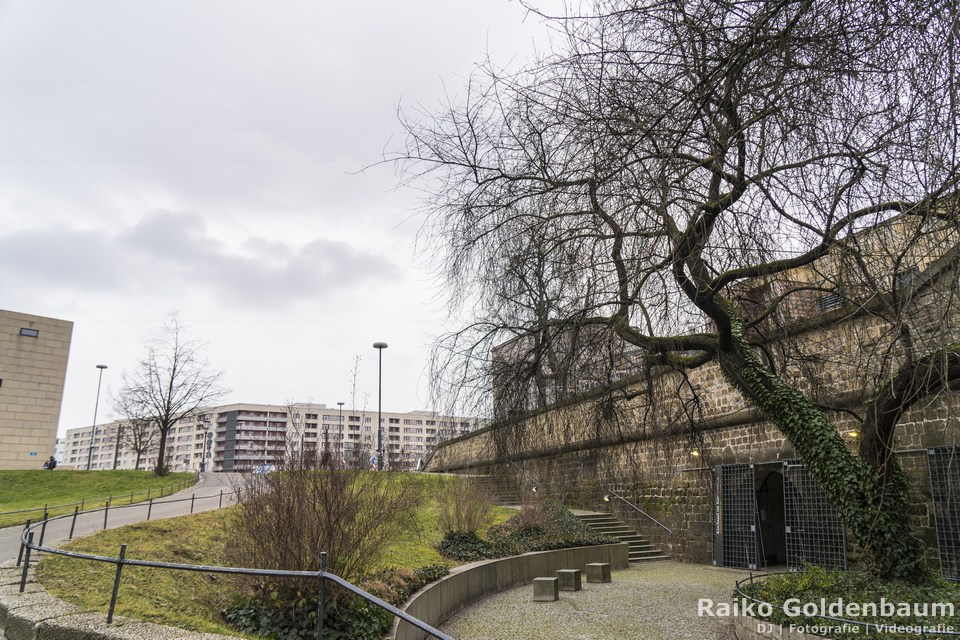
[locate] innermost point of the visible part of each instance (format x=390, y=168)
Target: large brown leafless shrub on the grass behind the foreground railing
x=284, y=520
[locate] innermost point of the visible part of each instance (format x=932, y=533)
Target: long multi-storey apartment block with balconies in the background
x=241, y=436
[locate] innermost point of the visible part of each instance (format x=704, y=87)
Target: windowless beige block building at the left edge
x=33, y=365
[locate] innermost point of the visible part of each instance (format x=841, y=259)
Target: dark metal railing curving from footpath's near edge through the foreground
x=27, y=547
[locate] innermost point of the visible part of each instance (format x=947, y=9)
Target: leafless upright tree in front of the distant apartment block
x=172, y=380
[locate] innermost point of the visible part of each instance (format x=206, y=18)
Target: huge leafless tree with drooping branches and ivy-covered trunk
x=683, y=177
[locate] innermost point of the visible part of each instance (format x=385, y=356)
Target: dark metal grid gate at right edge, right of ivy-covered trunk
x=944, y=490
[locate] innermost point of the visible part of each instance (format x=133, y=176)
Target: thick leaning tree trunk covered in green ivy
x=873, y=506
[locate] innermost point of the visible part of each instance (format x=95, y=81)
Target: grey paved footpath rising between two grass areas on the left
x=206, y=495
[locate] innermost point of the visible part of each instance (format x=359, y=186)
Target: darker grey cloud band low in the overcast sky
x=167, y=253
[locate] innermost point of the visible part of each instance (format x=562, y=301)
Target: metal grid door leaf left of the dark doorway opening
x=735, y=516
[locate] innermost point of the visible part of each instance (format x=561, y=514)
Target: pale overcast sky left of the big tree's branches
x=201, y=156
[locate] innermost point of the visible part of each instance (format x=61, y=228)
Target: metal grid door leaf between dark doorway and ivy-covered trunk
x=814, y=533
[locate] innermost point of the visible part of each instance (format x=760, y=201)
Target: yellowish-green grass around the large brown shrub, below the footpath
x=195, y=600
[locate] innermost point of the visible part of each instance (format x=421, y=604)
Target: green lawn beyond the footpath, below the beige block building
x=35, y=488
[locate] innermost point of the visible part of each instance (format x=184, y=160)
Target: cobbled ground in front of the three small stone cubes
x=650, y=601
